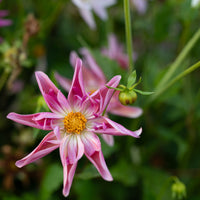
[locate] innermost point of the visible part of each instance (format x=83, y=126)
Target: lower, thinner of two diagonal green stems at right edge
x=174, y=80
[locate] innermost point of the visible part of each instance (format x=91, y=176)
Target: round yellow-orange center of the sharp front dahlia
x=75, y=122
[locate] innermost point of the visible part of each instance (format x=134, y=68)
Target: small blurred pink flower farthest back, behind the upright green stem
x=115, y=51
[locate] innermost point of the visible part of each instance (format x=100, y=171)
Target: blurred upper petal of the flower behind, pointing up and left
x=92, y=65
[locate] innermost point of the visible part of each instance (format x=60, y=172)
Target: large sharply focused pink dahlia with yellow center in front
x=74, y=123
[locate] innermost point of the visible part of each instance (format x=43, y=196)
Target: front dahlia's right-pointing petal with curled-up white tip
x=112, y=128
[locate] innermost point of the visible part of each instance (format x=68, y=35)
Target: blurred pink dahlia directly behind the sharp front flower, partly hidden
x=95, y=80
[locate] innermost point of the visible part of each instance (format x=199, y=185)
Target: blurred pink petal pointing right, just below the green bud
x=117, y=108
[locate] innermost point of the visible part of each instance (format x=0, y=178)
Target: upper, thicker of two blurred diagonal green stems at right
x=179, y=59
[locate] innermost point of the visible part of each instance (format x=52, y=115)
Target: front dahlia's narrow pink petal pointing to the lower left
x=47, y=145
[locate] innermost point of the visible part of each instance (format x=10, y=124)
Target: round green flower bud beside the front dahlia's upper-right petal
x=127, y=97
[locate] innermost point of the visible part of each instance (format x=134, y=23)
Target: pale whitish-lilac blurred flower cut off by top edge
x=99, y=7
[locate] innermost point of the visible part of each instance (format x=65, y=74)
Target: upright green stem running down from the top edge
x=128, y=34
